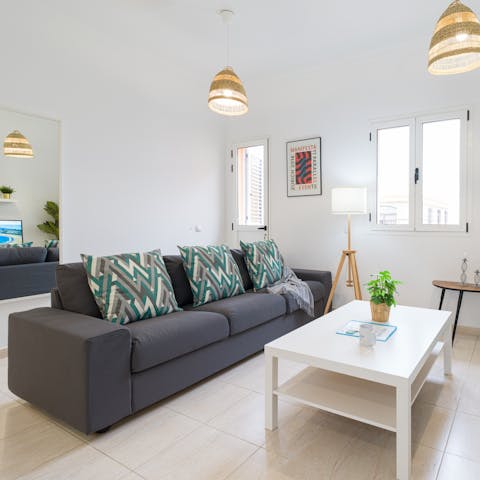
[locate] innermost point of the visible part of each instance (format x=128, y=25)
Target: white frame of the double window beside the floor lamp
x=415, y=122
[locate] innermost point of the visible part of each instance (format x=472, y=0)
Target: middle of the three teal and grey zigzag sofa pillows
x=212, y=272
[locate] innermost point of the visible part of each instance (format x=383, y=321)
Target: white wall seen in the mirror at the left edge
x=35, y=180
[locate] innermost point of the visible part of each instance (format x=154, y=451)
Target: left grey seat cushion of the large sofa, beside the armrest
x=158, y=340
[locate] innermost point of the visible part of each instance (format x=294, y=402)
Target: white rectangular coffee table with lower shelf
x=372, y=385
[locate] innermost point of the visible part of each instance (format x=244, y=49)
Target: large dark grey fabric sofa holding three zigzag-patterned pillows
x=91, y=373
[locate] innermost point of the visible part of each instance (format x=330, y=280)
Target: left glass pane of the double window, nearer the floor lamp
x=393, y=164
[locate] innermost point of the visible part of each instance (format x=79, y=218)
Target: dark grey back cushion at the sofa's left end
x=75, y=294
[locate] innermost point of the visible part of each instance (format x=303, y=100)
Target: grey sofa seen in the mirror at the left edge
x=27, y=271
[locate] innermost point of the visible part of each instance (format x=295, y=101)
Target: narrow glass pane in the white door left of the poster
x=250, y=185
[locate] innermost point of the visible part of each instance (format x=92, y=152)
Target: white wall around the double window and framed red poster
x=337, y=102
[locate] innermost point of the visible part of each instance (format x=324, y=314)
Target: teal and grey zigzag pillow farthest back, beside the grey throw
x=264, y=262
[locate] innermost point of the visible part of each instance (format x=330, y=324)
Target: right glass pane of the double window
x=441, y=172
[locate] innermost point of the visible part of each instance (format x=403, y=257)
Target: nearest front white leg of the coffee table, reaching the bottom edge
x=404, y=433
